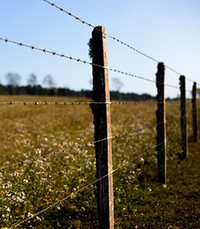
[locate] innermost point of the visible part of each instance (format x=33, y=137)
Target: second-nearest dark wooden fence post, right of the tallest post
x=161, y=124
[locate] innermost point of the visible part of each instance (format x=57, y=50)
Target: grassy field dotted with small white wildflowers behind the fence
x=30, y=131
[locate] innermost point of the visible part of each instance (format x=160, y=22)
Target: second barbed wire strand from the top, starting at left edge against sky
x=84, y=61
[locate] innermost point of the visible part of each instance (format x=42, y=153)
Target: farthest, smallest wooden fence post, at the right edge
x=194, y=111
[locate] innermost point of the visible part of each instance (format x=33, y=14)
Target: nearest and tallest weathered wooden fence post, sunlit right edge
x=102, y=123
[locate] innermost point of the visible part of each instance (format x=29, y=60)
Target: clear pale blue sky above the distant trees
x=168, y=30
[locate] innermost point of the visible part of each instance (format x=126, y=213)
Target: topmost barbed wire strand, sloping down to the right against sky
x=116, y=39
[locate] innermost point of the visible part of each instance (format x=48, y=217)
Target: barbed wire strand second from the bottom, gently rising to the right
x=77, y=146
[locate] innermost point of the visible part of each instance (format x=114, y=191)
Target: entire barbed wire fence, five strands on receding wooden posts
x=101, y=104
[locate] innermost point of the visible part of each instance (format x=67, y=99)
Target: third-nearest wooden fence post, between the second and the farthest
x=183, y=117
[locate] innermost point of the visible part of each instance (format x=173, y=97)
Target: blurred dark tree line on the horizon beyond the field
x=49, y=89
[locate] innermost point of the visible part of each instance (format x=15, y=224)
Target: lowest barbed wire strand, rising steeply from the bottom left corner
x=85, y=187
